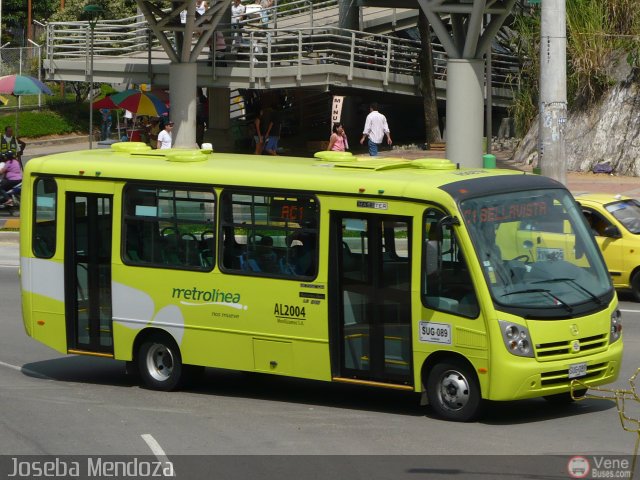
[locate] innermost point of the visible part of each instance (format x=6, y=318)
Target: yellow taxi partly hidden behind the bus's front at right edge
x=615, y=223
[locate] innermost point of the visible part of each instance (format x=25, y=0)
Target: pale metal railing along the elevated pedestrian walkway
x=257, y=47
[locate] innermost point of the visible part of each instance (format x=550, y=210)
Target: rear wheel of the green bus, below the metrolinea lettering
x=160, y=364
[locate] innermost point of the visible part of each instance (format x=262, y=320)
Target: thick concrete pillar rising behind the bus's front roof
x=465, y=111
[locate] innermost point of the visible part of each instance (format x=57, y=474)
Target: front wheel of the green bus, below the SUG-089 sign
x=453, y=391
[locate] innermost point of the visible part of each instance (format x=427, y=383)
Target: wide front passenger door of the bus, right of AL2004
x=370, y=329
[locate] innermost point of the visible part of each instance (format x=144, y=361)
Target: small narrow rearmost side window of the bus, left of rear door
x=44, y=218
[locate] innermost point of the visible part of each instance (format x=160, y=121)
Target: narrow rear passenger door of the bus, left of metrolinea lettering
x=88, y=272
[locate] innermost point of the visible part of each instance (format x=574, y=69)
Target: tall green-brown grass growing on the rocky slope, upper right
x=599, y=34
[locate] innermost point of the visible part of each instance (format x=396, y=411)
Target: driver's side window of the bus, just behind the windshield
x=447, y=283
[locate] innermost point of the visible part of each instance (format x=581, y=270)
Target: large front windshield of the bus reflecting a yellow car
x=536, y=252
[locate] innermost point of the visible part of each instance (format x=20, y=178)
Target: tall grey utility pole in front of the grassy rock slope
x=553, y=90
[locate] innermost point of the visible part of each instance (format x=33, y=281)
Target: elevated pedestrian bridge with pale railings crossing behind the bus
x=295, y=54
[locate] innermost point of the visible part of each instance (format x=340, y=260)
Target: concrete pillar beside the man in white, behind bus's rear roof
x=182, y=94
